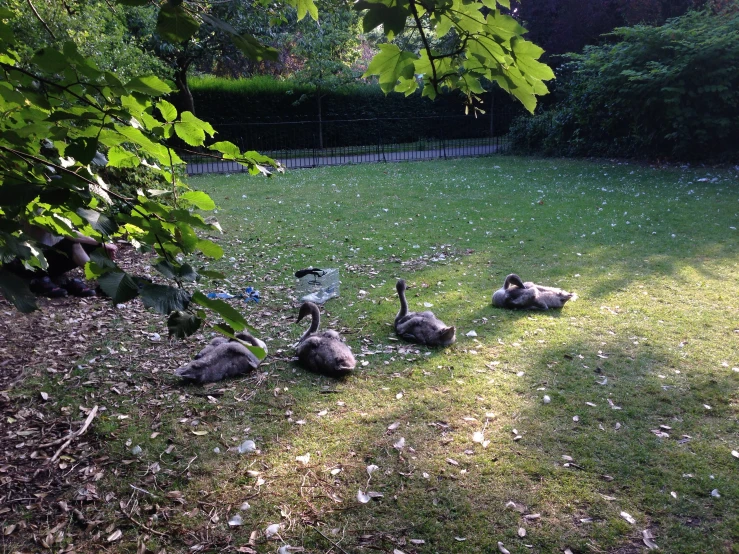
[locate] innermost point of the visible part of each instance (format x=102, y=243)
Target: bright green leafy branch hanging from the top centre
x=463, y=43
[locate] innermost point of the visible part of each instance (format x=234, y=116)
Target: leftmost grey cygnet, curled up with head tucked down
x=222, y=358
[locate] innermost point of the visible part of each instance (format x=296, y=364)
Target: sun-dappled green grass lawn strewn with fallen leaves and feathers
x=641, y=370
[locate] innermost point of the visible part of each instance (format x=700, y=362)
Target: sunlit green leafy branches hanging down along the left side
x=66, y=125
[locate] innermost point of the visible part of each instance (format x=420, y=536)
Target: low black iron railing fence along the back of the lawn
x=300, y=144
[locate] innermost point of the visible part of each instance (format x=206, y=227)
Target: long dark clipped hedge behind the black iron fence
x=264, y=113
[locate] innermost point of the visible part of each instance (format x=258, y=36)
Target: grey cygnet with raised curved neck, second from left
x=322, y=352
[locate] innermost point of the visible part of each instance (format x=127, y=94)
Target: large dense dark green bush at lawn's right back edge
x=670, y=91
